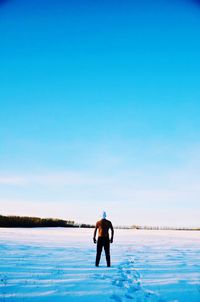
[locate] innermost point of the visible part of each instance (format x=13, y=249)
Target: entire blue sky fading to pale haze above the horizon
x=100, y=110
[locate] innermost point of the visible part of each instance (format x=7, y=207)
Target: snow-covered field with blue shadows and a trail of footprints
x=58, y=265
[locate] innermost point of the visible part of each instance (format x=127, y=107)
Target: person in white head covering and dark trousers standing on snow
x=103, y=241
